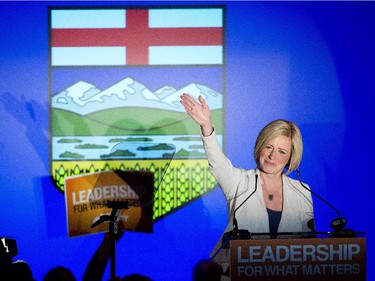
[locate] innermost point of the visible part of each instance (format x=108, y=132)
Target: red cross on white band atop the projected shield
x=118, y=37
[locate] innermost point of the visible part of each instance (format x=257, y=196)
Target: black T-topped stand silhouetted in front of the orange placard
x=112, y=218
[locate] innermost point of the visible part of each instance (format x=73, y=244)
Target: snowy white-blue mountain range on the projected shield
x=84, y=98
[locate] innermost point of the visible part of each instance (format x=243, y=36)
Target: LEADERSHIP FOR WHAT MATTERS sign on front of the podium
x=307, y=259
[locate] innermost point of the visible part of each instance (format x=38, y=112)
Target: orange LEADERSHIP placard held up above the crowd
x=86, y=201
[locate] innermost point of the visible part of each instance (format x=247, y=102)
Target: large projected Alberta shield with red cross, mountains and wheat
x=116, y=77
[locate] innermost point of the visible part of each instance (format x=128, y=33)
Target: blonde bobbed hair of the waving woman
x=277, y=128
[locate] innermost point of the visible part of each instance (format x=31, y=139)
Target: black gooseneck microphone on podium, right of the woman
x=338, y=224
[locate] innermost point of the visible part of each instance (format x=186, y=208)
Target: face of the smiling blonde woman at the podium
x=275, y=155
